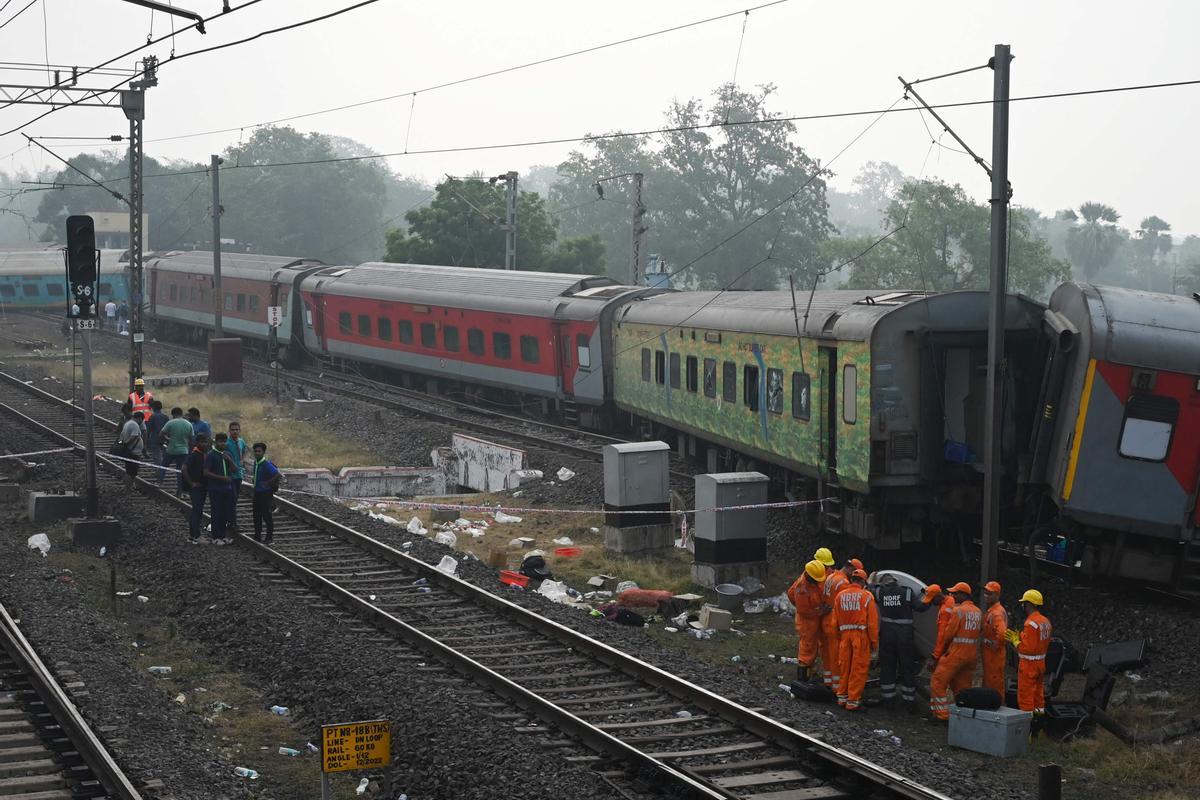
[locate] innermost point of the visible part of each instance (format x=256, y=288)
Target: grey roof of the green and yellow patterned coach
x=847, y=315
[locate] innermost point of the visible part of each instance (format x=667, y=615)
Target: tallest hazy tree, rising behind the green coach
x=751, y=187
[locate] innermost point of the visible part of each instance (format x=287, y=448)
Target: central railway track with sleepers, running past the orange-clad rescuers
x=628, y=713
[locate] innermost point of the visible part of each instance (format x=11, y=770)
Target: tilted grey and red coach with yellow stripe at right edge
x=1117, y=448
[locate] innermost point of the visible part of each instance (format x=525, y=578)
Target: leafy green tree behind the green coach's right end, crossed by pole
x=941, y=242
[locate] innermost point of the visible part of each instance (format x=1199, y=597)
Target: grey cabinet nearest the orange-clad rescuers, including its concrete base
x=730, y=545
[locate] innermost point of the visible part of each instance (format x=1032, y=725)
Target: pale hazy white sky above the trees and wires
x=1136, y=151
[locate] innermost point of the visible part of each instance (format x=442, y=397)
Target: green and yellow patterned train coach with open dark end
x=873, y=401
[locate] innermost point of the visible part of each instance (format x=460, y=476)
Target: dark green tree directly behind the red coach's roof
x=463, y=227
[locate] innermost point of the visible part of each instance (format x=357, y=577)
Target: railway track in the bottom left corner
x=47, y=750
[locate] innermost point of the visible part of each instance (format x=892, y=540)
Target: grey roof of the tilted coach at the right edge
x=1144, y=329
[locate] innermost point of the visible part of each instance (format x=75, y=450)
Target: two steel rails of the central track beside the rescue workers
x=811, y=750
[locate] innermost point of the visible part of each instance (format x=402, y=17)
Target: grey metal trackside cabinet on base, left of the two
x=637, y=480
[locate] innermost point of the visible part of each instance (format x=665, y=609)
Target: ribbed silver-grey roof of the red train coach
x=458, y=286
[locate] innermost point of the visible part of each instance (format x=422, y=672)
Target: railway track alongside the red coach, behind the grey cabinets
x=537, y=434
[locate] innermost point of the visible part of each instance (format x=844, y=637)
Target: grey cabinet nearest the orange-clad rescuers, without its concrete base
x=729, y=537
